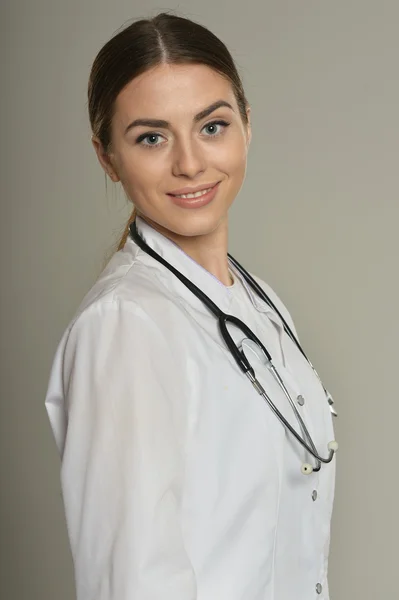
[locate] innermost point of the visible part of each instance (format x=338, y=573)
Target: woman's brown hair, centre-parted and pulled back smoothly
x=144, y=44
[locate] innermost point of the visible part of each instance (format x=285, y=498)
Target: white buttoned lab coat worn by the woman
x=179, y=483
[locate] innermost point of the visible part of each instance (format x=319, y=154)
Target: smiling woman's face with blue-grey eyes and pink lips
x=176, y=129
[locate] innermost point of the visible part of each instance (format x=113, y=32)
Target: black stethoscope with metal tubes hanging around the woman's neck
x=241, y=359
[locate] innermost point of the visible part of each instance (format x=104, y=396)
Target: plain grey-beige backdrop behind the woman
x=317, y=218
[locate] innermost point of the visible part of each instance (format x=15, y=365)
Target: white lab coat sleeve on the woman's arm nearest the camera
x=123, y=458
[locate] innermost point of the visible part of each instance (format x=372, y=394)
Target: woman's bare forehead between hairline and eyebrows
x=172, y=89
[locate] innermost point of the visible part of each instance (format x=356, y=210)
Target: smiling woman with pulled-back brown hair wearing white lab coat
x=179, y=481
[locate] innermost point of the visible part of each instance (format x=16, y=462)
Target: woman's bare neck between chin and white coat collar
x=209, y=251
